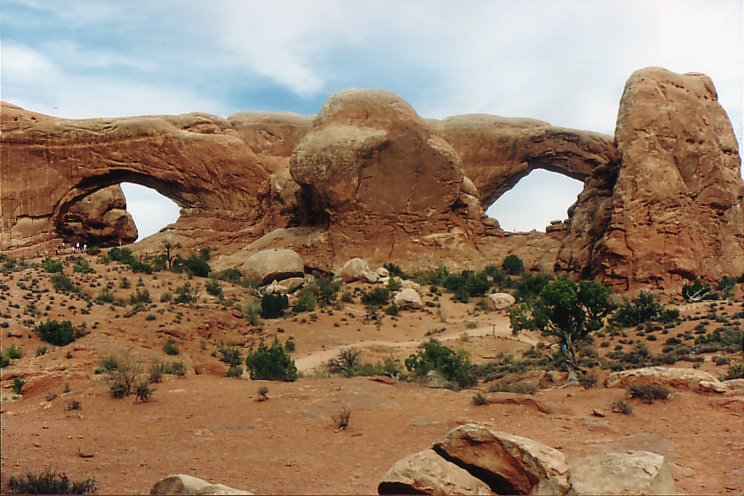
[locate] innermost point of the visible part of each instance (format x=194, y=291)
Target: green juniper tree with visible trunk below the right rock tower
x=568, y=312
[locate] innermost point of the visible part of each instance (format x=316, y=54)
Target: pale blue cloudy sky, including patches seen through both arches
x=562, y=61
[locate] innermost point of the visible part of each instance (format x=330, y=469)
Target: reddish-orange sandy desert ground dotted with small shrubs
x=214, y=427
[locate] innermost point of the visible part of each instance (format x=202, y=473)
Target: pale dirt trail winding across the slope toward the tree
x=317, y=359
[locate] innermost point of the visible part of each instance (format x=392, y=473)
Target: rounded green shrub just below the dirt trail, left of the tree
x=433, y=356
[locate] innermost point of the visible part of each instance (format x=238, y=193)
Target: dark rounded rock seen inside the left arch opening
x=99, y=219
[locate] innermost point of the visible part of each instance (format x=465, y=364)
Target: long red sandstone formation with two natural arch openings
x=368, y=177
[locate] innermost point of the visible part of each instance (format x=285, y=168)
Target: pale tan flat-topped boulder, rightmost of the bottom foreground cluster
x=641, y=472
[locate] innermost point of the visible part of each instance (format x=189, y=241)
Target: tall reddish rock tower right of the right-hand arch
x=677, y=205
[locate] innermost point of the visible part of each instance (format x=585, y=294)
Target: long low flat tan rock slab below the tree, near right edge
x=673, y=377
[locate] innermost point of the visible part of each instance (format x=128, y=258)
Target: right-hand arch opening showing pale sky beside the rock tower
x=537, y=199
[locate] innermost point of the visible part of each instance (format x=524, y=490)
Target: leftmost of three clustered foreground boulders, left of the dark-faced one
x=428, y=473
